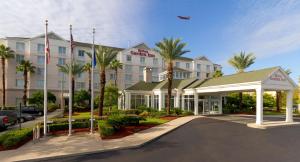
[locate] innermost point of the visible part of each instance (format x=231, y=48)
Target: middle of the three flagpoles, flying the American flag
x=70, y=83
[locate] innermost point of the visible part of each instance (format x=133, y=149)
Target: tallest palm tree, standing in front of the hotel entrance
x=170, y=49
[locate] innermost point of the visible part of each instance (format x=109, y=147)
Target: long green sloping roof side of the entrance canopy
x=251, y=76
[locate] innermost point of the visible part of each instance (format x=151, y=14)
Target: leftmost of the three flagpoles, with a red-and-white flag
x=45, y=80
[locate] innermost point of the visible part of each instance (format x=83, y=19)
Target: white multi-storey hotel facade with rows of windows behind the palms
x=134, y=60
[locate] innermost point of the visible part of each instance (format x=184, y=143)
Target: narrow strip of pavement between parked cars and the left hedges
x=30, y=124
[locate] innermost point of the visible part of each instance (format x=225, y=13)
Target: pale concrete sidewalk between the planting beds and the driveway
x=84, y=143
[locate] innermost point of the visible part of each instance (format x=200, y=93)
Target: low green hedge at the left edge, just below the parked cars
x=14, y=137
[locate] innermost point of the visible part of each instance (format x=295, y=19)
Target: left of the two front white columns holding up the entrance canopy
x=259, y=105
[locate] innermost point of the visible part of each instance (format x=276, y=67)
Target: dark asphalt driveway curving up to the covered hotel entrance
x=210, y=140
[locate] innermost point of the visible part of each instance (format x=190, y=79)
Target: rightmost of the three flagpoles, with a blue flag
x=92, y=83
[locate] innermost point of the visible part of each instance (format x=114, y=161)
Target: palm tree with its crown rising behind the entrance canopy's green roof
x=241, y=62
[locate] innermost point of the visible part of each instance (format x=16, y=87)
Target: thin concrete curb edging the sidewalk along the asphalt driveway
x=108, y=150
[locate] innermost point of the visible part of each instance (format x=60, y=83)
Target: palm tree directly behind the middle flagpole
x=76, y=70
